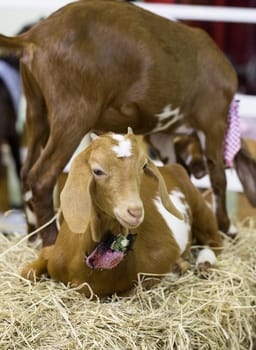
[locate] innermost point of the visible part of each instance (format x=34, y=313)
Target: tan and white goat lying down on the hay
x=114, y=190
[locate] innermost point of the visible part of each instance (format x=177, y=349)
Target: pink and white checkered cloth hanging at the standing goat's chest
x=232, y=143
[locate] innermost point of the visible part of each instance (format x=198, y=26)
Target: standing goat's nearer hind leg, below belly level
x=43, y=177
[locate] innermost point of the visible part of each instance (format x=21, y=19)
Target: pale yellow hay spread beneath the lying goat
x=187, y=313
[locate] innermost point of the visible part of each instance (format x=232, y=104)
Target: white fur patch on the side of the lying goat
x=179, y=228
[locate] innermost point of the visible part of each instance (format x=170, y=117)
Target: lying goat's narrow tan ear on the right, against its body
x=165, y=198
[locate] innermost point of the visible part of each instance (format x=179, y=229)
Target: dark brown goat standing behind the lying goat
x=106, y=65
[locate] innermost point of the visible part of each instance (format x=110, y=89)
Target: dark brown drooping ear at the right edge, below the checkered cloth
x=245, y=166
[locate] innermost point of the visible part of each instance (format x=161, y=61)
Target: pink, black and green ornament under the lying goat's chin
x=109, y=252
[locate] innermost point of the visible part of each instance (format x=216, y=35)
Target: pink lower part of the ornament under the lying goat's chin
x=104, y=258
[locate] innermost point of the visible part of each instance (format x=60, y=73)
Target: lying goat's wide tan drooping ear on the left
x=75, y=198
